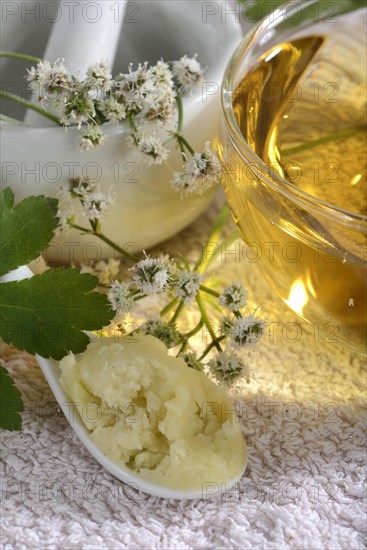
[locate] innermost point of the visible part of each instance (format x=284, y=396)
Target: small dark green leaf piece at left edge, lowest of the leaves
x=11, y=403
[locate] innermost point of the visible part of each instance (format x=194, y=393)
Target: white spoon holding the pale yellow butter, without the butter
x=52, y=372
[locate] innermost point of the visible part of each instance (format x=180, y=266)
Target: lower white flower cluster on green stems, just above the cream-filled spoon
x=157, y=275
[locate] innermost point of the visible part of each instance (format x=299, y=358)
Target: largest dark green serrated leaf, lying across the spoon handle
x=47, y=313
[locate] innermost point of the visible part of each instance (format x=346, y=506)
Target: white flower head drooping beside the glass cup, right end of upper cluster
x=199, y=174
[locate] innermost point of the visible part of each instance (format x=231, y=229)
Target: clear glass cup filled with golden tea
x=294, y=158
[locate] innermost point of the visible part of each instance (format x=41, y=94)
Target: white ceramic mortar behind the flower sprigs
x=146, y=210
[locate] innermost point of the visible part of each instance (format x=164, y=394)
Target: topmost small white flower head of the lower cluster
x=151, y=275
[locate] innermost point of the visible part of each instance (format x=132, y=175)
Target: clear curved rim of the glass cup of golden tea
x=279, y=184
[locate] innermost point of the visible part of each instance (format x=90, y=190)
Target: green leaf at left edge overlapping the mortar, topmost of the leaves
x=25, y=229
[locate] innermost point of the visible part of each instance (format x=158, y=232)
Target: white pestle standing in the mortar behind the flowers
x=85, y=35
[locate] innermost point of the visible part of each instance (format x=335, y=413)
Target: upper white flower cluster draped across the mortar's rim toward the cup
x=145, y=97
